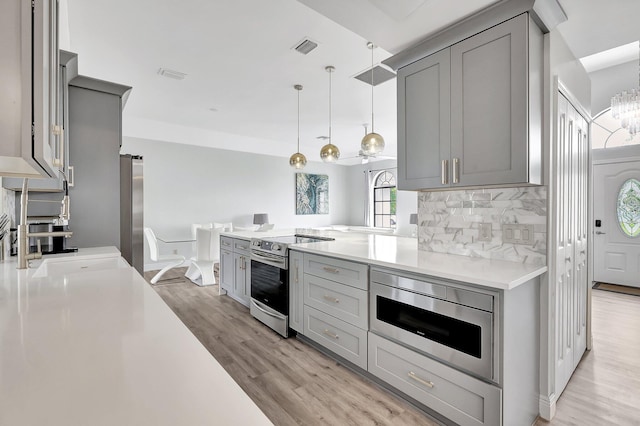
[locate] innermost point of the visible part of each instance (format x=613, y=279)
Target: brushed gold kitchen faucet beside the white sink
x=23, y=234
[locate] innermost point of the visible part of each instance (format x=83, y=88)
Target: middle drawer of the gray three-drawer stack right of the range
x=341, y=301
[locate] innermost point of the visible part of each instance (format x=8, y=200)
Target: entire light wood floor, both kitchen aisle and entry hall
x=296, y=385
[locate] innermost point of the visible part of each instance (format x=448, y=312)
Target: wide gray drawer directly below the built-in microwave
x=455, y=395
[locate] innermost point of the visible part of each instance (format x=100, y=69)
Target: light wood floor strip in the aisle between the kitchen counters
x=292, y=383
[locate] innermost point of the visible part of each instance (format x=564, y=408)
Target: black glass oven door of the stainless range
x=270, y=284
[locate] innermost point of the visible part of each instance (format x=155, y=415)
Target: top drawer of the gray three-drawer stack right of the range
x=345, y=272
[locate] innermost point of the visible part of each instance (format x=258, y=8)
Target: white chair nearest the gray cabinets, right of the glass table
x=200, y=271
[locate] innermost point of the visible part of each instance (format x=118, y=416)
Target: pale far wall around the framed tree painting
x=187, y=184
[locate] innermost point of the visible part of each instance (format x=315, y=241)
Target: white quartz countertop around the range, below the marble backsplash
x=402, y=253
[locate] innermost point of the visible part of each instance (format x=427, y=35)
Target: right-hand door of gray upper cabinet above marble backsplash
x=489, y=98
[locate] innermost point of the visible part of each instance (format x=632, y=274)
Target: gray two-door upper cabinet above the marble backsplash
x=470, y=114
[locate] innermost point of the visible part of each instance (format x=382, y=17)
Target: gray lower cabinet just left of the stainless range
x=235, y=268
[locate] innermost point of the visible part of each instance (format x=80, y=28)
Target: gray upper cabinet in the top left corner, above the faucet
x=30, y=131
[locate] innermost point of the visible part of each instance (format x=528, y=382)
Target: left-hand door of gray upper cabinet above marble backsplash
x=424, y=123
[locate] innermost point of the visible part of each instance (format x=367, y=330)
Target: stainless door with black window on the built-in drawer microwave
x=456, y=334
